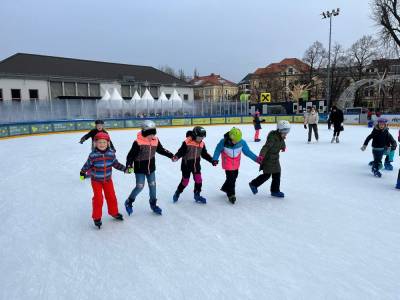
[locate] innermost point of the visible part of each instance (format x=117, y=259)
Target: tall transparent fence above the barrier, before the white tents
x=75, y=109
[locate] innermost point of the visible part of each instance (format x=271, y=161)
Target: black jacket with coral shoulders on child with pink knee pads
x=191, y=151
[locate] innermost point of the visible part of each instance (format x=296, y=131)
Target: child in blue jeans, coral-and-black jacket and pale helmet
x=142, y=158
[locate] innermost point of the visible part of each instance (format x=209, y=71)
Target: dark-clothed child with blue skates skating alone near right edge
x=380, y=143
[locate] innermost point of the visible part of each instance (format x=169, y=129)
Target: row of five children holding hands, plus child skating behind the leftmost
x=141, y=161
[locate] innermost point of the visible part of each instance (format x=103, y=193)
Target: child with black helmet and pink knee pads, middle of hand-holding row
x=191, y=151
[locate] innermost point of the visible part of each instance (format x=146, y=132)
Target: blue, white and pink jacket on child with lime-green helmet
x=231, y=153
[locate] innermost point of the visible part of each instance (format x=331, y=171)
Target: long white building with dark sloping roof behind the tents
x=30, y=76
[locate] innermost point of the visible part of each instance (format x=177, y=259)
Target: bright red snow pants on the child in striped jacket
x=97, y=201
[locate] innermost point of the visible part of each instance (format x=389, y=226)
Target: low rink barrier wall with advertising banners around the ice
x=61, y=126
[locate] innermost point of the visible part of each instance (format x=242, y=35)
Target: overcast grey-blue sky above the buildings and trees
x=227, y=37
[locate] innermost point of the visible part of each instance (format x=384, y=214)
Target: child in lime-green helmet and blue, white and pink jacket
x=231, y=148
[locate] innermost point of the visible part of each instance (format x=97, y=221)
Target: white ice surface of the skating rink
x=334, y=236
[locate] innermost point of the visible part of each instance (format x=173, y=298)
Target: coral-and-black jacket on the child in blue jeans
x=142, y=154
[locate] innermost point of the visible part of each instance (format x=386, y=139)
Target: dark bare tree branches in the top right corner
x=386, y=15
